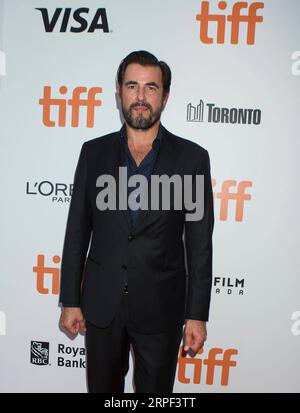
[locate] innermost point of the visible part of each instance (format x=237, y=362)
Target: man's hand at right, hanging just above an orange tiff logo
x=194, y=335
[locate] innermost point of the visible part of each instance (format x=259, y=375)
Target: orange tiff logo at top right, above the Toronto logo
x=235, y=19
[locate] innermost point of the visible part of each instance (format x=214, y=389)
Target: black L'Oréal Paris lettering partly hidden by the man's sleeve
x=57, y=192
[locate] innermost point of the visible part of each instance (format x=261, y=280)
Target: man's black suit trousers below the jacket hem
x=108, y=349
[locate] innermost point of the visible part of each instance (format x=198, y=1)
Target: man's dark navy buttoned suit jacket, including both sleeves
x=102, y=252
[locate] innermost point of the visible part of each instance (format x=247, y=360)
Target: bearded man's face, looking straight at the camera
x=141, y=96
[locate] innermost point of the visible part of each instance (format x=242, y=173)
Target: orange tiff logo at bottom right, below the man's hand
x=223, y=361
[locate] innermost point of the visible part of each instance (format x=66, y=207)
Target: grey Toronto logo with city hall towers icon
x=212, y=113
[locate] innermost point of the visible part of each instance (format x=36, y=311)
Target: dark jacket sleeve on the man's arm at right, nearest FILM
x=198, y=241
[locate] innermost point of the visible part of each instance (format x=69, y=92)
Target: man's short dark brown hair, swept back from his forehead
x=144, y=58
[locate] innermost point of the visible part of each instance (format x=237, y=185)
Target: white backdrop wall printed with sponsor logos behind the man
x=254, y=327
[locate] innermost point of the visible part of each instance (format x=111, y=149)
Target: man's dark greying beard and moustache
x=140, y=122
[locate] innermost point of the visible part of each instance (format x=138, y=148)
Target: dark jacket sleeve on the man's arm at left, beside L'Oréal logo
x=77, y=236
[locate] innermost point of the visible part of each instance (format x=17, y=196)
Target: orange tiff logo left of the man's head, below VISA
x=47, y=102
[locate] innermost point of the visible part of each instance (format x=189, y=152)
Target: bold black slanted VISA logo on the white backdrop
x=74, y=21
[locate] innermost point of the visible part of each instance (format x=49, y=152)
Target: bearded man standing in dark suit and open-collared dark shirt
x=123, y=275
